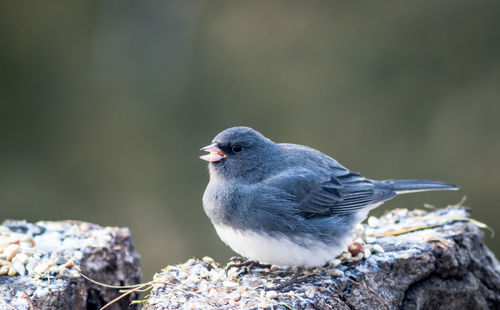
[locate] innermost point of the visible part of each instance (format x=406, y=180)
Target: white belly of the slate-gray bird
x=278, y=249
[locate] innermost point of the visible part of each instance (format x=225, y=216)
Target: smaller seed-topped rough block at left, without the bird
x=49, y=257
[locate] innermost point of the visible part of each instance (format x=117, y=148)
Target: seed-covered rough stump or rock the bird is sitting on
x=443, y=264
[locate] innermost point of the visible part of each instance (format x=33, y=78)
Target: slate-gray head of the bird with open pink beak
x=240, y=152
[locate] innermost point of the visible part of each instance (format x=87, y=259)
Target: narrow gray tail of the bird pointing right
x=411, y=186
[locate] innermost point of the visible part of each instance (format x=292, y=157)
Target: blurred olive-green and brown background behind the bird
x=104, y=105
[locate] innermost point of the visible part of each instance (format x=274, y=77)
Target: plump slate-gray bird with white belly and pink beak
x=289, y=204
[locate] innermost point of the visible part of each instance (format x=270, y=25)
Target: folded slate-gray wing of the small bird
x=338, y=192
